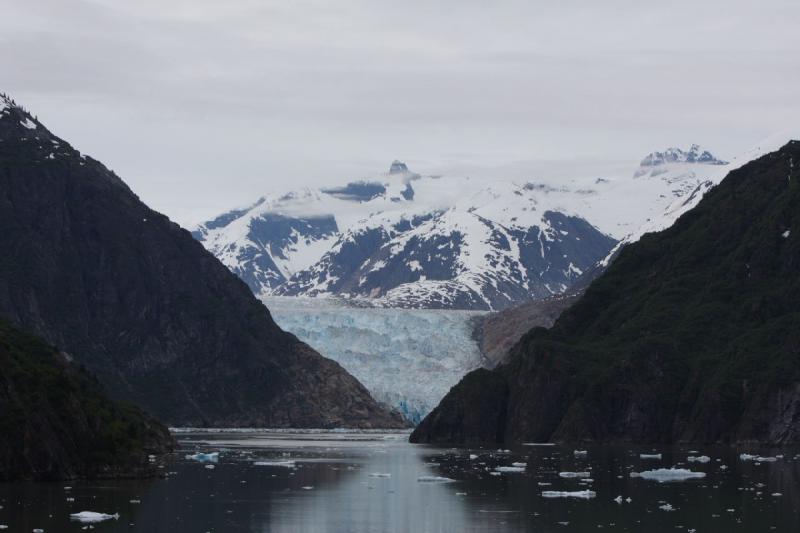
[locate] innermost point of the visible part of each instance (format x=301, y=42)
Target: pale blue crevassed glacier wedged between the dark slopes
x=407, y=358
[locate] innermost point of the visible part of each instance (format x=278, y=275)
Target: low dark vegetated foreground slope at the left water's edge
x=57, y=423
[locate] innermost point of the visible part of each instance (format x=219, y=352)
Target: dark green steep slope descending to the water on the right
x=691, y=335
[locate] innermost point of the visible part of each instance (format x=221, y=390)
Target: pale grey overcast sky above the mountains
x=203, y=105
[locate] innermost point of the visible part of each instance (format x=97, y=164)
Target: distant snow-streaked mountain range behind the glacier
x=402, y=239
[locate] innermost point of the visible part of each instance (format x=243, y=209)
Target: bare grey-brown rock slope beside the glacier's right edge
x=498, y=332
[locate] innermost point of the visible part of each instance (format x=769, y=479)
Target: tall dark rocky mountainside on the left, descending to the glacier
x=90, y=268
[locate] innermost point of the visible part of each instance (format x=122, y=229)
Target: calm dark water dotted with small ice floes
x=334, y=486
